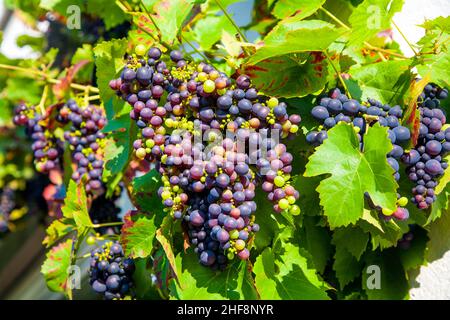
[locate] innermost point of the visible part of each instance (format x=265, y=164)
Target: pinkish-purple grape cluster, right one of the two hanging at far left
x=86, y=142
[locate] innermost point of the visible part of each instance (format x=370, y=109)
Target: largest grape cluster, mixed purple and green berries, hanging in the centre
x=183, y=110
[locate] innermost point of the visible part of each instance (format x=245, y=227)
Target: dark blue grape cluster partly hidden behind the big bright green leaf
x=337, y=107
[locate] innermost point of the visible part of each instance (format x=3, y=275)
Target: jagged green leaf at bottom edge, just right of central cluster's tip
x=288, y=277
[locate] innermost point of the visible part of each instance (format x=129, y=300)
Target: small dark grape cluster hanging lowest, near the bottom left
x=110, y=272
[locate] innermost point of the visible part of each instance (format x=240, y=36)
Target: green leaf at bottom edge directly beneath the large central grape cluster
x=197, y=282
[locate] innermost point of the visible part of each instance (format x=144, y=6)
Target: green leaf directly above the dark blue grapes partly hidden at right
x=384, y=81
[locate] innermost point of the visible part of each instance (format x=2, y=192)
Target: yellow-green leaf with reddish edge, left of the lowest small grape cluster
x=55, y=266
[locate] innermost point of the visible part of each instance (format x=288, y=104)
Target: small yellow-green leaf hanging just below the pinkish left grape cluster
x=75, y=206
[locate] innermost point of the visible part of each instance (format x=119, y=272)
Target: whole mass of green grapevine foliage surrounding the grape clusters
x=301, y=50
